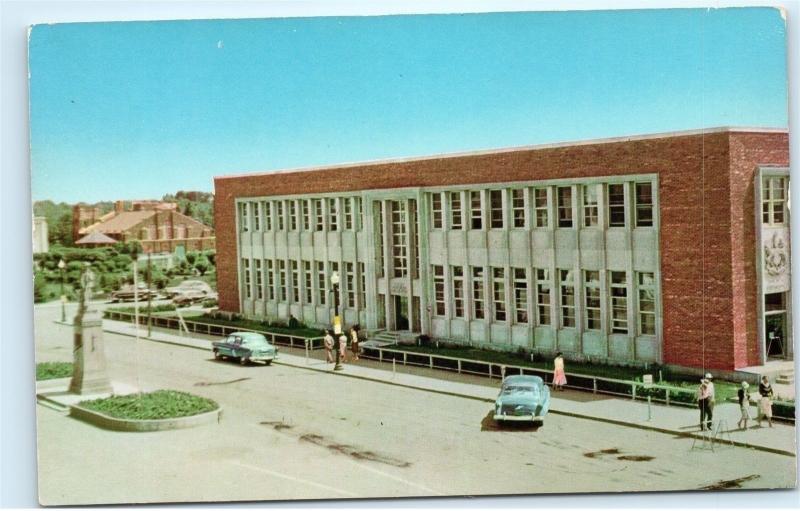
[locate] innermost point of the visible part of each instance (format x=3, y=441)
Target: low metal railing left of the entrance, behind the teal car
x=294, y=341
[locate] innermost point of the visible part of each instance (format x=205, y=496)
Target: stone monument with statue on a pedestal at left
x=89, y=370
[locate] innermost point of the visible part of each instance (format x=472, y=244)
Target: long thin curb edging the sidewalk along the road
x=487, y=400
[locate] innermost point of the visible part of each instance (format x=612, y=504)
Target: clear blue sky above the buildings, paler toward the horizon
x=140, y=109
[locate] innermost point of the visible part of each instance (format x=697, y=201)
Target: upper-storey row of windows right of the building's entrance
x=466, y=210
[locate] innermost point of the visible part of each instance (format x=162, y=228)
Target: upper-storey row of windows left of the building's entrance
x=301, y=214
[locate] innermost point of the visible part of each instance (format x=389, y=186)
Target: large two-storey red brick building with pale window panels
x=669, y=248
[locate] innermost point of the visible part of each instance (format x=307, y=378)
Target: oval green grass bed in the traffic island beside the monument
x=161, y=404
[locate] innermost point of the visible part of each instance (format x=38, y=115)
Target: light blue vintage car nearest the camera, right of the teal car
x=522, y=398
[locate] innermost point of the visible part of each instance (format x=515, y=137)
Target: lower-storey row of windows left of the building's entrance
x=275, y=280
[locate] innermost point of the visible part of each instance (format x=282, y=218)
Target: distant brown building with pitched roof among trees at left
x=156, y=225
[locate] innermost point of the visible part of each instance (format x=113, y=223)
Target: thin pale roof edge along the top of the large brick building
x=609, y=140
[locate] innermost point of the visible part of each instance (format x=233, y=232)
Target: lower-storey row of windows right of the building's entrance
x=450, y=299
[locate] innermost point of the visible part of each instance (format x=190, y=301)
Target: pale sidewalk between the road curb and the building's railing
x=674, y=420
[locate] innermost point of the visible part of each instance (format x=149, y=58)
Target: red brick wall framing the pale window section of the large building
x=707, y=272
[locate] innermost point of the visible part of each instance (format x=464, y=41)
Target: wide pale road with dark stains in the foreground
x=290, y=433
